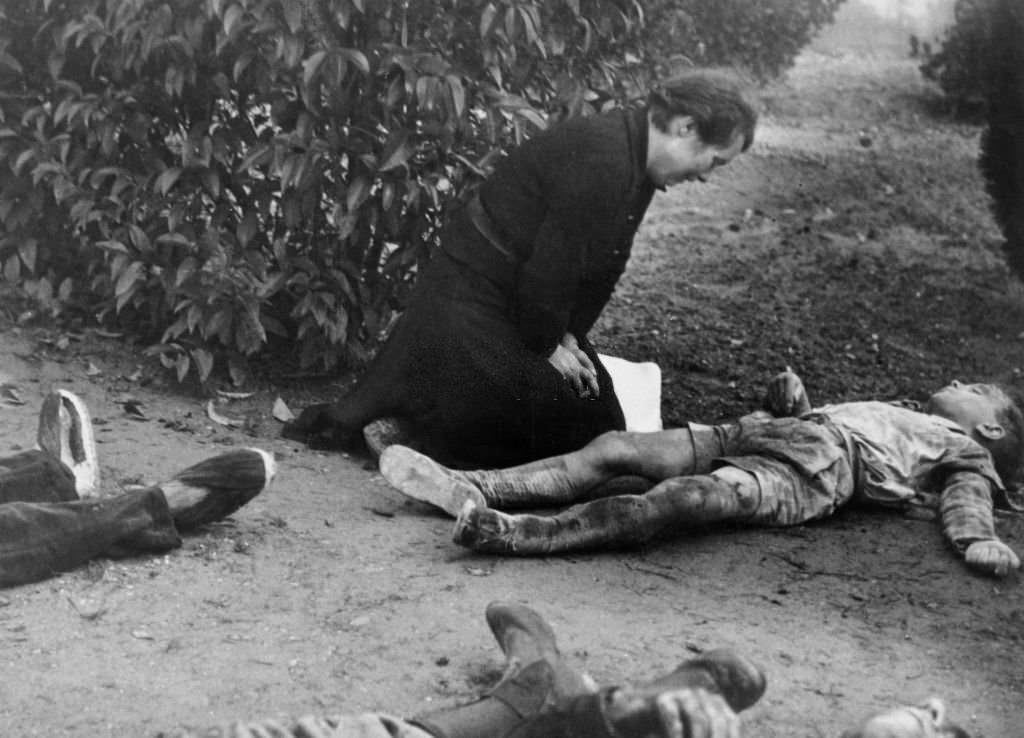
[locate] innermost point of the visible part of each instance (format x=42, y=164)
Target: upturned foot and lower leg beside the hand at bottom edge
x=536, y=679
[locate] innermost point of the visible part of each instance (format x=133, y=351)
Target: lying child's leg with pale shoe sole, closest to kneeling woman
x=549, y=483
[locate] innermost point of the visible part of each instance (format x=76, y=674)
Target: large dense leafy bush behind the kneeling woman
x=217, y=177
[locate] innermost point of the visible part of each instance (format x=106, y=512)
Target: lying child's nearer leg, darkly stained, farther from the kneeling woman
x=672, y=506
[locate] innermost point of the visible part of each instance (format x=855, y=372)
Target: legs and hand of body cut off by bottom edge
x=541, y=697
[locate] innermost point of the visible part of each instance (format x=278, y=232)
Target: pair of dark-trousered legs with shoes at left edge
x=46, y=529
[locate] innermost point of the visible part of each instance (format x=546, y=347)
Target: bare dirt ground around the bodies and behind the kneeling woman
x=854, y=243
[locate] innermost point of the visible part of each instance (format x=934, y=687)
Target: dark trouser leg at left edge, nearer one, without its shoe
x=38, y=541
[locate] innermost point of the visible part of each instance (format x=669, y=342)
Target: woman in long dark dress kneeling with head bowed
x=491, y=364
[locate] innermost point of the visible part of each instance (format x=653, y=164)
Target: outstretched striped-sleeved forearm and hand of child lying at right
x=967, y=523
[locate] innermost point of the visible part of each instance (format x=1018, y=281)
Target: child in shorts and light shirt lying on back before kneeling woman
x=785, y=467
